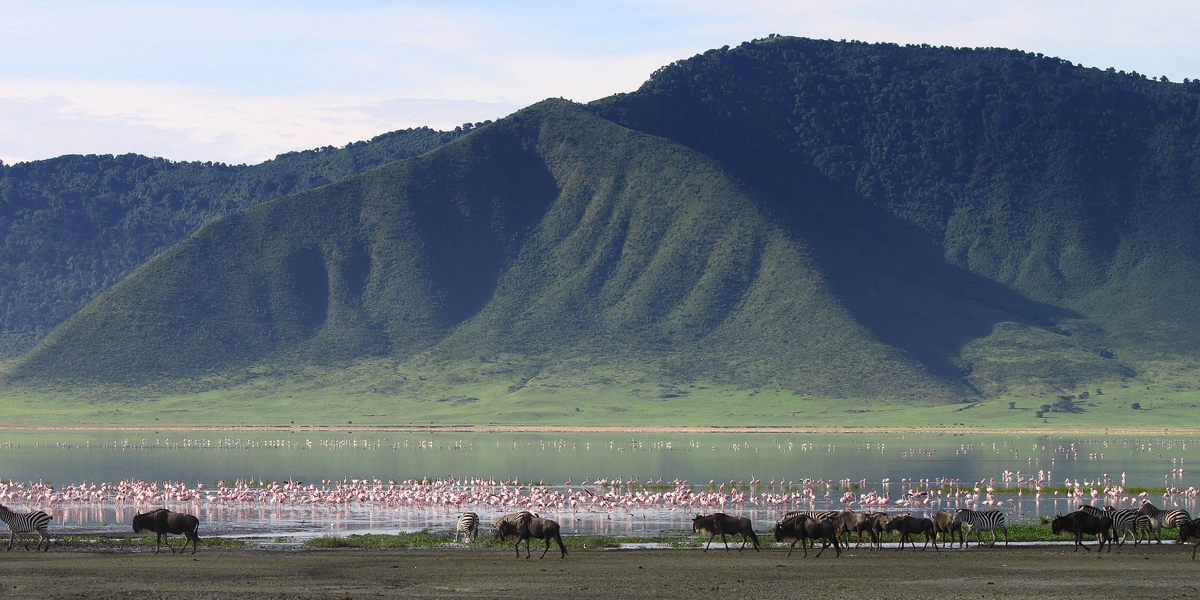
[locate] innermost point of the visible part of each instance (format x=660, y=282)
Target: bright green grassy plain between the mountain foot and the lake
x=1166, y=399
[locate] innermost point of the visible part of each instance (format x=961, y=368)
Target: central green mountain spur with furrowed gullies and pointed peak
x=554, y=236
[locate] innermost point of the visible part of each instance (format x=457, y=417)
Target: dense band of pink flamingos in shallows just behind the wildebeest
x=604, y=496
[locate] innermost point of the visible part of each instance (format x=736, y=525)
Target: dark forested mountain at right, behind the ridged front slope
x=931, y=177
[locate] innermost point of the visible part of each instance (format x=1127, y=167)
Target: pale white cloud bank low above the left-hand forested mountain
x=189, y=123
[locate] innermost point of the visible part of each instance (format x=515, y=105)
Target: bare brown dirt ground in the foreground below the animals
x=1048, y=572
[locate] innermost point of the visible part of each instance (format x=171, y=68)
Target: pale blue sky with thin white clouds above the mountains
x=242, y=82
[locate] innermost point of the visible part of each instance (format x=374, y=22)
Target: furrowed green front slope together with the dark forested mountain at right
x=837, y=220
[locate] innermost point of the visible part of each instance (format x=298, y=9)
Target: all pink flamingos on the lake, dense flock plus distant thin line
x=1012, y=491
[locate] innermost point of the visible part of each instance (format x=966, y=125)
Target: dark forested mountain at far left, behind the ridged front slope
x=74, y=226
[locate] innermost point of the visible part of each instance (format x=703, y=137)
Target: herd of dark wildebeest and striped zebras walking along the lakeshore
x=831, y=529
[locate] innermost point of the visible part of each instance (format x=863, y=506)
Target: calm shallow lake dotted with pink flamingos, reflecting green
x=599, y=483
